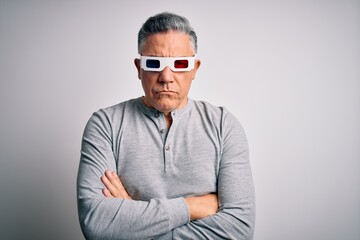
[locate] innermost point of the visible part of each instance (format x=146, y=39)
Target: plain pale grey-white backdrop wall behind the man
x=289, y=70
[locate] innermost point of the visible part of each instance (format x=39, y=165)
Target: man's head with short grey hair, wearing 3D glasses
x=166, y=37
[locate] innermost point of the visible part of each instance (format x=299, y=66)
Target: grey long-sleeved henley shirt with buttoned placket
x=204, y=151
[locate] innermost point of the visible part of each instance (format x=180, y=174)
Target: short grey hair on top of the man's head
x=164, y=22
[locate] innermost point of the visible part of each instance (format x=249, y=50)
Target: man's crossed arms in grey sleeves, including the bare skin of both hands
x=227, y=215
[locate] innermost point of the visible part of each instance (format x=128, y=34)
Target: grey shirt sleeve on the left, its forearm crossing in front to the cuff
x=111, y=218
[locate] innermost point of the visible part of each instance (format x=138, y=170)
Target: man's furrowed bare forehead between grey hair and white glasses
x=168, y=44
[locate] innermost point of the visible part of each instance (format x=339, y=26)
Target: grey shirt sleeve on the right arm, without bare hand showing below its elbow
x=236, y=216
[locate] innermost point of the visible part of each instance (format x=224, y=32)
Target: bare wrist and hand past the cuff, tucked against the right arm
x=202, y=206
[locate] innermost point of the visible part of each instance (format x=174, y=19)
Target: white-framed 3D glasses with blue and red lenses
x=176, y=64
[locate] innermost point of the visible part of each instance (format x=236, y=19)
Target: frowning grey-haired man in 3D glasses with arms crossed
x=164, y=166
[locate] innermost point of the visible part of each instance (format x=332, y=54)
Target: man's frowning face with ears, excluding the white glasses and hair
x=167, y=90
